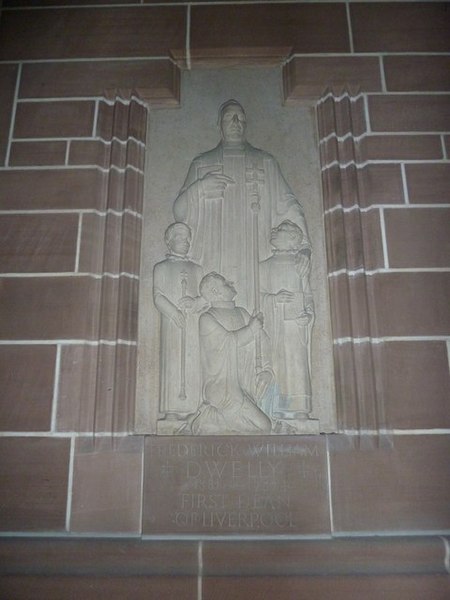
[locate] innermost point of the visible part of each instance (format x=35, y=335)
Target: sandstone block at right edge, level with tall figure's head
x=410, y=112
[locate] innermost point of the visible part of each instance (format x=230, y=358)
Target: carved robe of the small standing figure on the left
x=167, y=292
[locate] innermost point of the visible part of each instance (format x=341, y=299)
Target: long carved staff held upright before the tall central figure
x=255, y=176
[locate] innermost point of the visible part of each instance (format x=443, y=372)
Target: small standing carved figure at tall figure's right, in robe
x=288, y=308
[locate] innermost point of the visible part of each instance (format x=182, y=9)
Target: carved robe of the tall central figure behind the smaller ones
x=222, y=228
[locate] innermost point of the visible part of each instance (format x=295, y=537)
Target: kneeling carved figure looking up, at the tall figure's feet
x=227, y=342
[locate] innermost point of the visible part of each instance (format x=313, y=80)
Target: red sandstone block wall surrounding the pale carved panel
x=386, y=169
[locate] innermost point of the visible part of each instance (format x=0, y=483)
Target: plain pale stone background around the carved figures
x=174, y=138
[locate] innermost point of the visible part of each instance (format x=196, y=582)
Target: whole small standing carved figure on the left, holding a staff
x=175, y=294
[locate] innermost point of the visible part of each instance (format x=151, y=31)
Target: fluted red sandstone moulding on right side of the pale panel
x=351, y=225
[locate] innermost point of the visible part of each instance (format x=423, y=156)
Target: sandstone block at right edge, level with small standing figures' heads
x=418, y=238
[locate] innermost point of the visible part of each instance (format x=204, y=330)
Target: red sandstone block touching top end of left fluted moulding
x=54, y=119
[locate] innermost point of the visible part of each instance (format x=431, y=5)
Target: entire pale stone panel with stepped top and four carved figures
x=234, y=324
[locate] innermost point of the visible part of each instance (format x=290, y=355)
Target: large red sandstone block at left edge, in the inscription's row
x=33, y=491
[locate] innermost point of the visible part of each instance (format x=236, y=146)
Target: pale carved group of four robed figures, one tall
x=241, y=367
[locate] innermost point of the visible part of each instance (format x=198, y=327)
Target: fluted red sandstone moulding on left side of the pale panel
x=113, y=253
